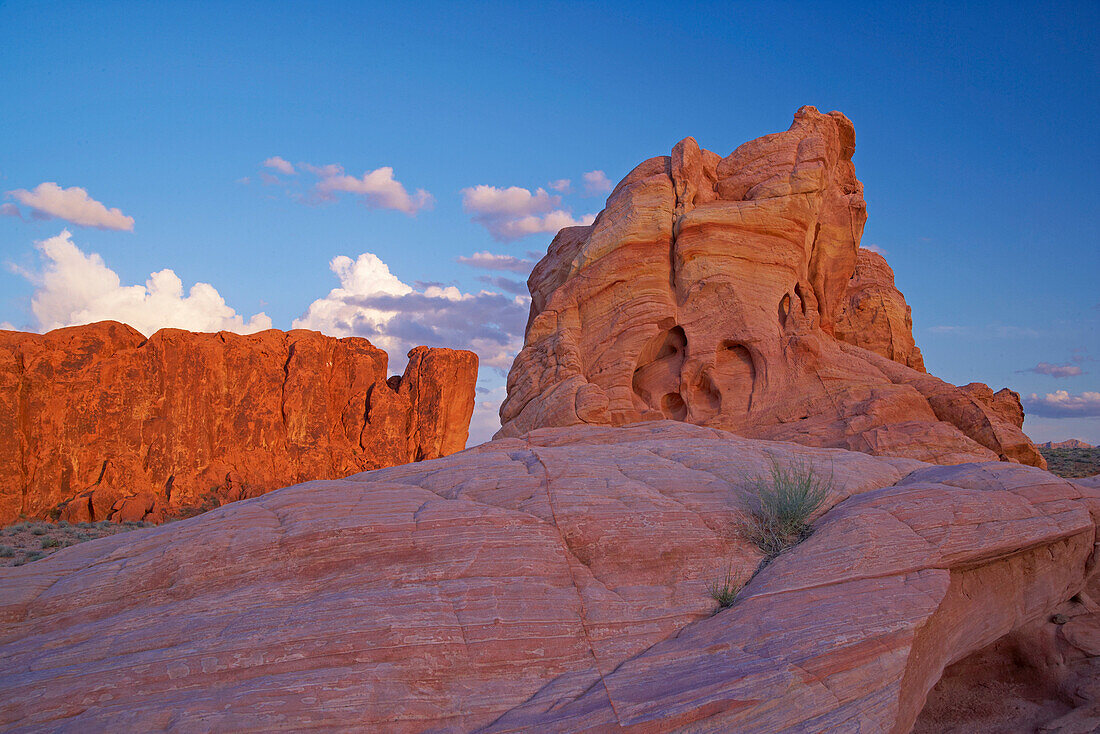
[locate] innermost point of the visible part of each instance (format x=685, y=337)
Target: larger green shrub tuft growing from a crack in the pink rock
x=780, y=505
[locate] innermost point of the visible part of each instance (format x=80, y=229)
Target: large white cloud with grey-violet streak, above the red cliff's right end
x=371, y=302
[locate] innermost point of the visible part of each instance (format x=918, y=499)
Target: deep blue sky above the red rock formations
x=977, y=143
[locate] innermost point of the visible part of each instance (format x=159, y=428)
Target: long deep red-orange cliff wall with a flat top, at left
x=123, y=428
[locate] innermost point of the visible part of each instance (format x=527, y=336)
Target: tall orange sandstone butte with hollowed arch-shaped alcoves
x=733, y=293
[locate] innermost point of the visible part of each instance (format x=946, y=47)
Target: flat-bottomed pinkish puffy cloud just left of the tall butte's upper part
x=512, y=213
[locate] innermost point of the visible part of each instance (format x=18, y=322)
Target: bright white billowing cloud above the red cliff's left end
x=74, y=288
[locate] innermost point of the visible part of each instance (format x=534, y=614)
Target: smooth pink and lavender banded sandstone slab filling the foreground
x=558, y=584
